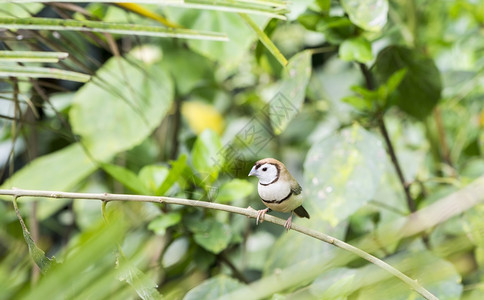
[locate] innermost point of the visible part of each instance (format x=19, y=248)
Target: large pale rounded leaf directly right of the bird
x=343, y=172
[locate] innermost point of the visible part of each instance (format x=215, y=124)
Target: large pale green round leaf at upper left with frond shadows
x=121, y=106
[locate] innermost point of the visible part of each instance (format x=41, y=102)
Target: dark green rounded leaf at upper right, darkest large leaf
x=419, y=91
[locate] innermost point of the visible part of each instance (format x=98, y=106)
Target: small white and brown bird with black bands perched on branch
x=278, y=190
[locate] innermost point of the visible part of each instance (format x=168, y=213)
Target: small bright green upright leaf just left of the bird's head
x=204, y=154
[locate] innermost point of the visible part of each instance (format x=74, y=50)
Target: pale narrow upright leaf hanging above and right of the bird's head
x=285, y=105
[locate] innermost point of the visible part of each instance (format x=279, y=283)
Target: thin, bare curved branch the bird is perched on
x=249, y=212
